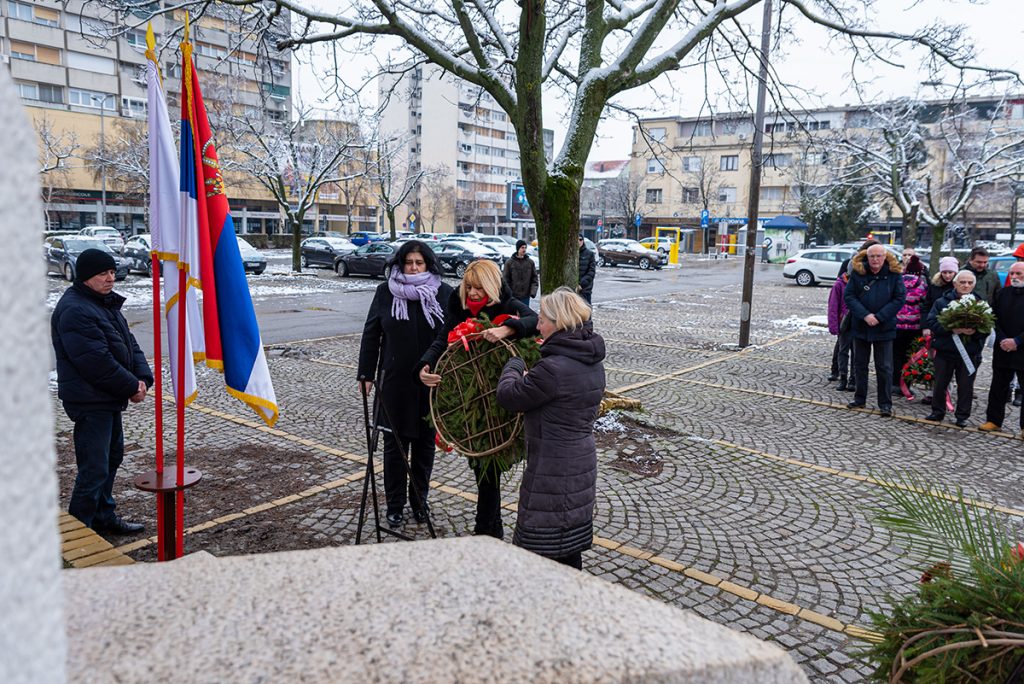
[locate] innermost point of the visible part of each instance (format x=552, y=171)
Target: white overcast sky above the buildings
x=804, y=59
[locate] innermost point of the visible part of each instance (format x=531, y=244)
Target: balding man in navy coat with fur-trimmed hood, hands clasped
x=875, y=295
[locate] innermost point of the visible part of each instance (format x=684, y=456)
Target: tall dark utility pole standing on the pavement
x=755, y=186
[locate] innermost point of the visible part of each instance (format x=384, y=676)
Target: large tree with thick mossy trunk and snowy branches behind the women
x=592, y=53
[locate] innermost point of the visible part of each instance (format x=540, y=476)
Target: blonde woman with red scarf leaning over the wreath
x=482, y=292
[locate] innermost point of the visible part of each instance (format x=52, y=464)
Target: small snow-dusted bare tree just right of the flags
x=292, y=161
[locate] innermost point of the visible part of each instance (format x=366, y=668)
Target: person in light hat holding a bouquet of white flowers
x=949, y=361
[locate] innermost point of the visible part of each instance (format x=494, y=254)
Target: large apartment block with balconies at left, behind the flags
x=83, y=79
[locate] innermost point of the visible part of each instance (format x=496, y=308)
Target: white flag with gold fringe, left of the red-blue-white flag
x=165, y=229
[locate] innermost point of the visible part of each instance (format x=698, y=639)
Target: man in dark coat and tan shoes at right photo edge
x=1008, y=355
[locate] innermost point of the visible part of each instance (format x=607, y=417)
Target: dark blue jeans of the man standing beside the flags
x=100, y=449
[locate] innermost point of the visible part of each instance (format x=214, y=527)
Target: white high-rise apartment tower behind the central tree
x=456, y=127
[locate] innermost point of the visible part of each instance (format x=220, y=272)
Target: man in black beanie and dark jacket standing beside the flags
x=100, y=369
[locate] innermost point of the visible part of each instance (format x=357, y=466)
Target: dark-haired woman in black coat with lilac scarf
x=403, y=323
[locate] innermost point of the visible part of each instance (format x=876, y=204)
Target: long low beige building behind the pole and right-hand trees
x=687, y=166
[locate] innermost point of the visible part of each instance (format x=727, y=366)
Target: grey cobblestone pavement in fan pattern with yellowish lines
x=759, y=519
